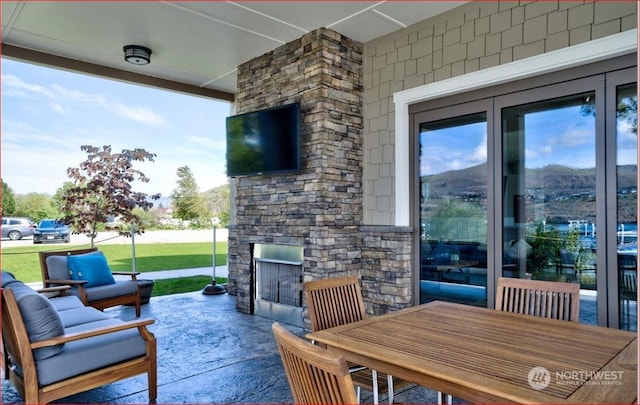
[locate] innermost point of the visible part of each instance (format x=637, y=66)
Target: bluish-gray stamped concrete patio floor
x=208, y=352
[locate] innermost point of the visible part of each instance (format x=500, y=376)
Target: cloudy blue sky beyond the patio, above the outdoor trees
x=47, y=114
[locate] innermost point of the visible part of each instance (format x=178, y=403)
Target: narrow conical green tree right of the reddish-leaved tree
x=187, y=200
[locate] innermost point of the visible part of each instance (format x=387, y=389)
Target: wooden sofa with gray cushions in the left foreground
x=57, y=347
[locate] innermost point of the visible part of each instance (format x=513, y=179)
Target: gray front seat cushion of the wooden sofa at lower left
x=81, y=356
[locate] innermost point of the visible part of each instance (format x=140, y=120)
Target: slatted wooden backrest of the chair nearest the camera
x=315, y=375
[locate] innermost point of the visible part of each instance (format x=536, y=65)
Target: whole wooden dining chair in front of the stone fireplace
x=338, y=301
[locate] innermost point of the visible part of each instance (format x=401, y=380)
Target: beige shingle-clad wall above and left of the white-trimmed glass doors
x=475, y=36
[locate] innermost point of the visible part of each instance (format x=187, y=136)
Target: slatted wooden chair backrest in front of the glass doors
x=547, y=299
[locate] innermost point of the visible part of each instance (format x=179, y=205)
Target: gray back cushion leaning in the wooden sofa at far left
x=40, y=318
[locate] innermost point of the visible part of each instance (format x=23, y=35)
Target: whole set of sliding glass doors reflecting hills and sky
x=537, y=183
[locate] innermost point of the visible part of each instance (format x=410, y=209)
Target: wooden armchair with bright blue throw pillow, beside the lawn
x=90, y=278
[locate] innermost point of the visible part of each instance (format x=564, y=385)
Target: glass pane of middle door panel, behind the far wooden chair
x=549, y=194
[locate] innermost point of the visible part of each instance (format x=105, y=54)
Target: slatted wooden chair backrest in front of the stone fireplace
x=334, y=302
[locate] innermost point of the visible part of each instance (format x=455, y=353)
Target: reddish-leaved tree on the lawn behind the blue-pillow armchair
x=102, y=189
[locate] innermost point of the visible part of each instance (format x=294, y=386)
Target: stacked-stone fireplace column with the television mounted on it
x=319, y=209
